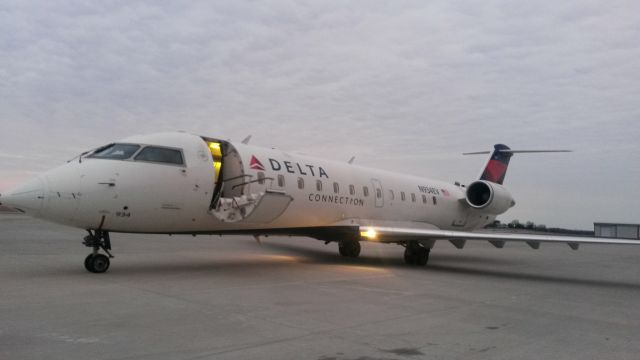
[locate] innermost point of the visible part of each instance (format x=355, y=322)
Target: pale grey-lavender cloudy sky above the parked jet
x=404, y=85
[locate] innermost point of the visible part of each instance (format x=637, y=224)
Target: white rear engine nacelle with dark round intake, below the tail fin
x=489, y=197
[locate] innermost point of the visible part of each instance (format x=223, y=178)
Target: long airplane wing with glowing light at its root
x=498, y=239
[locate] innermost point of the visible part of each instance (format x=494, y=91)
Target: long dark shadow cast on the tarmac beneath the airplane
x=463, y=264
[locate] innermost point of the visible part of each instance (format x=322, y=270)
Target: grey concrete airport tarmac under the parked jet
x=209, y=297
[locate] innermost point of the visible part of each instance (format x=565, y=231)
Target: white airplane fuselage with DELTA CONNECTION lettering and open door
x=297, y=191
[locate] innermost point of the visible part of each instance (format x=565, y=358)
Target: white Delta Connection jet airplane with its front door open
x=181, y=183
